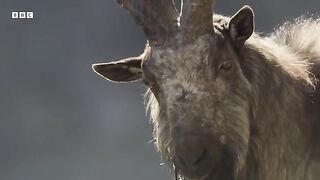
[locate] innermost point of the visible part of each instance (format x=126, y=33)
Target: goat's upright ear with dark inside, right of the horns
x=241, y=25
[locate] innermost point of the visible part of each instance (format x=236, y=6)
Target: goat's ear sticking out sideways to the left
x=126, y=70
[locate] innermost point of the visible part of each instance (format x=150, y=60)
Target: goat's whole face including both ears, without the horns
x=199, y=98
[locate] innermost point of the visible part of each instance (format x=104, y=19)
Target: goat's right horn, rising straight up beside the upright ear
x=196, y=17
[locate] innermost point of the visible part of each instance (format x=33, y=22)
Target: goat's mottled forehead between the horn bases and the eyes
x=206, y=50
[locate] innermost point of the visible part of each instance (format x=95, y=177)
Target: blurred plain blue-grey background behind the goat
x=60, y=121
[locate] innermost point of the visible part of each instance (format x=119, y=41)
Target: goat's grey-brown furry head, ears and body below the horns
x=253, y=104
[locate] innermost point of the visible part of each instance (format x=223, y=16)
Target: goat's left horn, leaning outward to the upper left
x=158, y=18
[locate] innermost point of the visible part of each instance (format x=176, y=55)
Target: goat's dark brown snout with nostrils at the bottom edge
x=196, y=153
